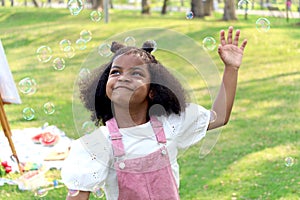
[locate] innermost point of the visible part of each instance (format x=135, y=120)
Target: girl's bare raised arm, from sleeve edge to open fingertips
x=231, y=55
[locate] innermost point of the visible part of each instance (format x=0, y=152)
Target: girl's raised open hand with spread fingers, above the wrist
x=229, y=52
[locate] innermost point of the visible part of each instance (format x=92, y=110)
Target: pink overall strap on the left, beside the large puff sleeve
x=116, y=137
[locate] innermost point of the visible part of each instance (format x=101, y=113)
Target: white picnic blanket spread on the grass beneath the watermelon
x=29, y=151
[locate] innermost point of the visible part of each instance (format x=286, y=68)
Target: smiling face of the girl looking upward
x=128, y=82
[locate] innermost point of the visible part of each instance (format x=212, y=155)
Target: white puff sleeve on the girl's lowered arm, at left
x=88, y=162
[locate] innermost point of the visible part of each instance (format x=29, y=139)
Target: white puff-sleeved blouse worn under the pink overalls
x=89, y=164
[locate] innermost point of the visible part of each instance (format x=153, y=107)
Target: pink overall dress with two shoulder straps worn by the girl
x=148, y=177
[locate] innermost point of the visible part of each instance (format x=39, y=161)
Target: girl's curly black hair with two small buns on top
x=166, y=89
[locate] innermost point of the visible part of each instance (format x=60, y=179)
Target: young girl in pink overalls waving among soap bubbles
x=143, y=120
